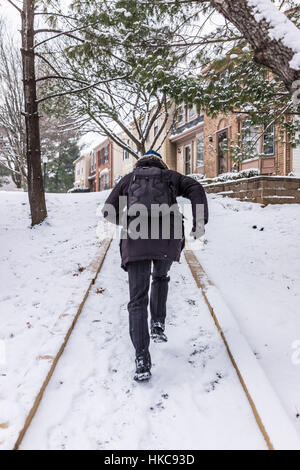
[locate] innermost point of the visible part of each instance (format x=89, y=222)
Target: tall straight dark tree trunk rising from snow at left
x=36, y=192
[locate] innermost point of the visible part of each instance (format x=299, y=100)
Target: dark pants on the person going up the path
x=139, y=273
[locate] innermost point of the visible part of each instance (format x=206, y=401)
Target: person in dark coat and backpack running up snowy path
x=152, y=240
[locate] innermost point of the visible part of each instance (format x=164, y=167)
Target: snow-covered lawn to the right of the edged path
x=257, y=271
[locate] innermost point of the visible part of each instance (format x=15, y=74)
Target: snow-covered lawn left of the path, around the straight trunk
x=44, y=274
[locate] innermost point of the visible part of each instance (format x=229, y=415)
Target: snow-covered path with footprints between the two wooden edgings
x=193, y=401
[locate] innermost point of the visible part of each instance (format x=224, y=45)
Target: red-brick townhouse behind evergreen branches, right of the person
x=199, y=142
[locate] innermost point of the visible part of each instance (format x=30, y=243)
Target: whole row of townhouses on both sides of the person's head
x=195, y=144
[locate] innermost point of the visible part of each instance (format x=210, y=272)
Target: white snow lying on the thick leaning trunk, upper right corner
x=282, y=29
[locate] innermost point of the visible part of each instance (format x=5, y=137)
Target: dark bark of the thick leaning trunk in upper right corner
x=267, y=51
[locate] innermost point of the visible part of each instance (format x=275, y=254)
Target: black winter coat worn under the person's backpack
x=141, y=249
